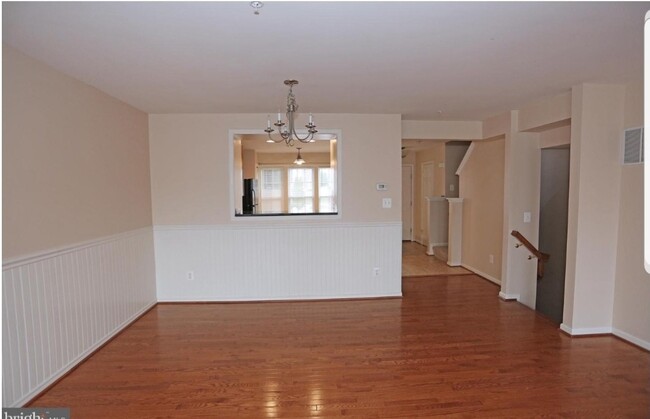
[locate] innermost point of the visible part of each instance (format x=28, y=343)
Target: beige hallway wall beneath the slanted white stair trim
x=481, y=187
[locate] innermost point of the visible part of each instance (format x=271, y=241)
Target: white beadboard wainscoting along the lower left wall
x=59, y=306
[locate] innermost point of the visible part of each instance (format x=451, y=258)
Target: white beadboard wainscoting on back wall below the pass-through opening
x=260, y=262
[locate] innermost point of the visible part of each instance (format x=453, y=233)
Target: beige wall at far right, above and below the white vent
x=632, y=288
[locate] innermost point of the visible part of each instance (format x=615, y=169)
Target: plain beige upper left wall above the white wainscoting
x=75, y=160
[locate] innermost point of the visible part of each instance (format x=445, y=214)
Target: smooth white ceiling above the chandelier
x=424, y=60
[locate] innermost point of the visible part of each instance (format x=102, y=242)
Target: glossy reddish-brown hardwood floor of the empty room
x=448, y=347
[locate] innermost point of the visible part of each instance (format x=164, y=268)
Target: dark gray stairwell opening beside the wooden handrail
x=553, y=220
